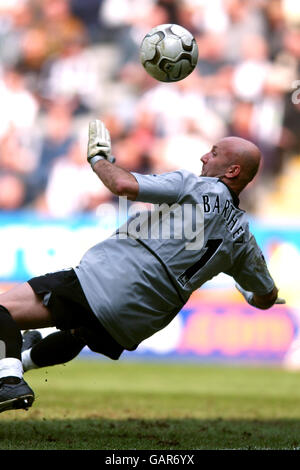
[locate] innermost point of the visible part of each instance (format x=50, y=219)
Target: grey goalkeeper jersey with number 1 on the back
x=137, y=280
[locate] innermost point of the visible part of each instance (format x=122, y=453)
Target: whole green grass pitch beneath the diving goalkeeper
x=101, y=404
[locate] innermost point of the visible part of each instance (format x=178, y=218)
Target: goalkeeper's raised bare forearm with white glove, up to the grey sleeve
x=118, y=180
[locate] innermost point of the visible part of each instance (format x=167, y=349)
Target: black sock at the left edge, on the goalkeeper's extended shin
x=10, y=335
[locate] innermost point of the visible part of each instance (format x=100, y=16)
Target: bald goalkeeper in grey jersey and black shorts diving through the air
x=130, y=286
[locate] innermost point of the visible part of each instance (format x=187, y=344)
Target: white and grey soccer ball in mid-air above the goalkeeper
x=169, y=53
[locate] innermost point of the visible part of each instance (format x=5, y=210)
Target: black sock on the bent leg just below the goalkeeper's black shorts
x=57, y=348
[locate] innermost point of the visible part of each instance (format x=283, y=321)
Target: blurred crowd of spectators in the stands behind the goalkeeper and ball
x=64, y=62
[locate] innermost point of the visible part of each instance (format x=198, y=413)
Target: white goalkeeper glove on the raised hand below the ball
x=99, y=143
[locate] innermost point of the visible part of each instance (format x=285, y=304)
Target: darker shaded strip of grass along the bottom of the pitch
x=97, y=433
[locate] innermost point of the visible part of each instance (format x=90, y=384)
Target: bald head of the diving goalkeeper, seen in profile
x=234, y=160
